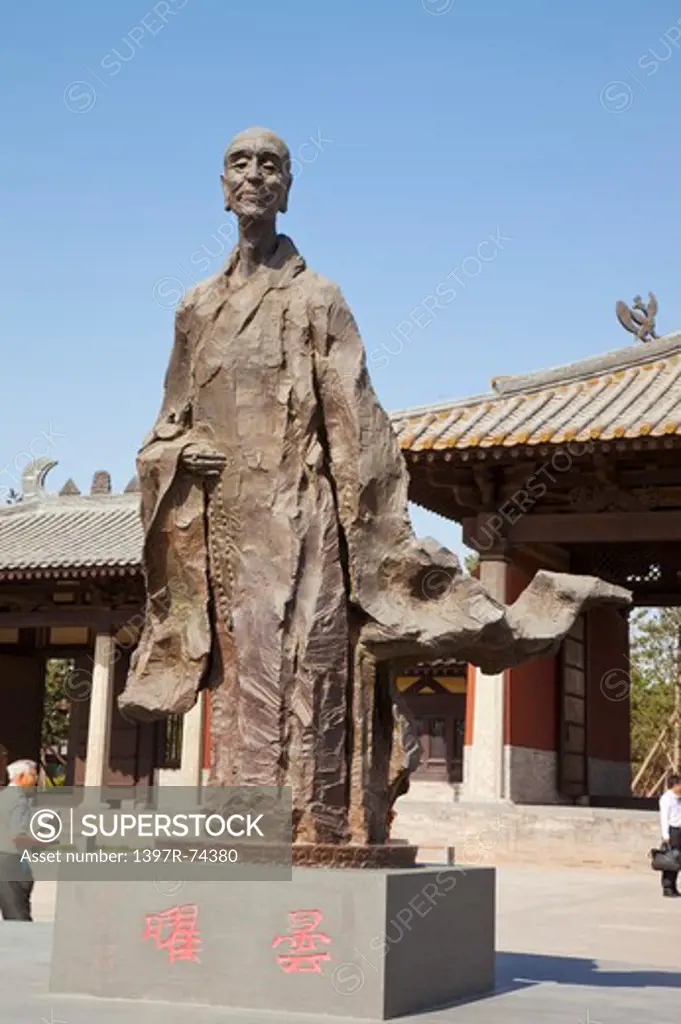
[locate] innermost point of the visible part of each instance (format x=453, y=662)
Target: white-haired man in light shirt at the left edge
x=16, y=878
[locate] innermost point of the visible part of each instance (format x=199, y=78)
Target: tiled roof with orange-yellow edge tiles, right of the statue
x=632, y=393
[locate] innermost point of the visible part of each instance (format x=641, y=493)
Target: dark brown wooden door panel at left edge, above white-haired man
x=22, y=696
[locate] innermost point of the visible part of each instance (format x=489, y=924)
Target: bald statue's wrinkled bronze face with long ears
x=257, y=179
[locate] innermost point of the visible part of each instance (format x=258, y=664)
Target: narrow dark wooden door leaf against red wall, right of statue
x=573, y=714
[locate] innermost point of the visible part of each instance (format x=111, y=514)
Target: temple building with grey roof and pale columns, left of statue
x=72, y=588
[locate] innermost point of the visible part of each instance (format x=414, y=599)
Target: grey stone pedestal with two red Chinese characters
x=348, y=944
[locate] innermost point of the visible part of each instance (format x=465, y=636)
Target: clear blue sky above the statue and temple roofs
x=438, y=125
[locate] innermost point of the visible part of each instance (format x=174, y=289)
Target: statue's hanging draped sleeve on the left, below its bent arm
x=173, y=655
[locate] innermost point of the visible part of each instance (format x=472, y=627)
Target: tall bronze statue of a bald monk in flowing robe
x=282, y=570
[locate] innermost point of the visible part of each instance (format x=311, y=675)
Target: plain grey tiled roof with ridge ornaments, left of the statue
x=50, y=532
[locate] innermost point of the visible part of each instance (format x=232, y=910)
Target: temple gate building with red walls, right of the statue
x=573, y=470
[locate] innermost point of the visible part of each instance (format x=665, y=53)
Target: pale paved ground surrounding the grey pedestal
x=575, y=947
